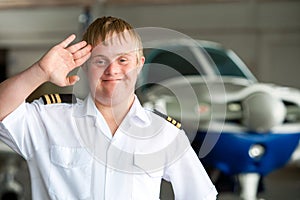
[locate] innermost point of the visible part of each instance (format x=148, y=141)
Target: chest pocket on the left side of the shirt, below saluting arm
x=70, y=174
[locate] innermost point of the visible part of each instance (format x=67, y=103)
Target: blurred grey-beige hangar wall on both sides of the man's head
x=265, y=34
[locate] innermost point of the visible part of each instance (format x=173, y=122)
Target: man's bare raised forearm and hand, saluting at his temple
x=54, y=66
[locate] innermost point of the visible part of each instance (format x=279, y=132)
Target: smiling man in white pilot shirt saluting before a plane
x=107, y=146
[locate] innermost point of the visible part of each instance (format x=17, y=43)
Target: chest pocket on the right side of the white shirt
x=147, y=179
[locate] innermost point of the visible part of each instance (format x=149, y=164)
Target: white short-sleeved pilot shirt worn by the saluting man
x=71, y=154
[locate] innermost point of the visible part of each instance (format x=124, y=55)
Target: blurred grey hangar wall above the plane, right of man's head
x=265, y=34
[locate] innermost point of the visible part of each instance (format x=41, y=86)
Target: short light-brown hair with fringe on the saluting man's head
x=103, y=27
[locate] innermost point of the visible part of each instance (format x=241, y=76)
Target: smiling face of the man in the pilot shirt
x=112, y=70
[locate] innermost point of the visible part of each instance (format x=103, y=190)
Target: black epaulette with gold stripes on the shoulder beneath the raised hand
x=59, y=98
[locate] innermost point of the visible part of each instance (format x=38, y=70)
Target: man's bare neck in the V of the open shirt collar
x=115, y=114
